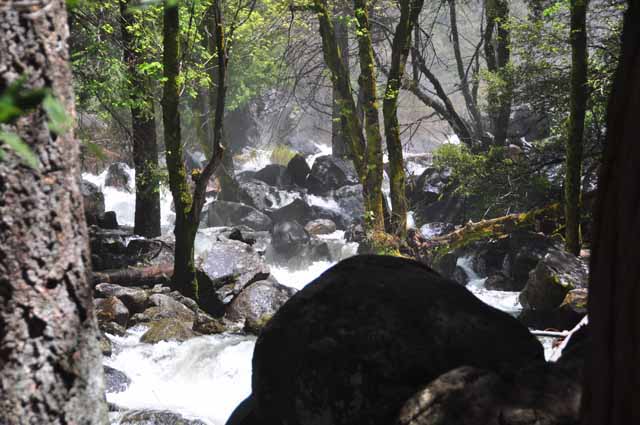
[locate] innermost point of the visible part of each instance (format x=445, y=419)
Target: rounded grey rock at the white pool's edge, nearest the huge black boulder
x=257, y=304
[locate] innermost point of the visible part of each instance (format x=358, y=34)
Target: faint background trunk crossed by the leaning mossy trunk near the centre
x=339, y=145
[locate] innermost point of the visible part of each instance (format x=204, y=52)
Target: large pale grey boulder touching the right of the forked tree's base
x=226, y=269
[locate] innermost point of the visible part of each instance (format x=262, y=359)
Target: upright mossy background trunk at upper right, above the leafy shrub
x=497, y=45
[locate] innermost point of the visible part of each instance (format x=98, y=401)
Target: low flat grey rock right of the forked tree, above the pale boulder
x=222, y=213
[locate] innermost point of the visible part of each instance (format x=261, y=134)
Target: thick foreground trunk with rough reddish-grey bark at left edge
x=50, y=364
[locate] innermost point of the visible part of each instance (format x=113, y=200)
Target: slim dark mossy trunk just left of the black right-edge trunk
x=578, y=106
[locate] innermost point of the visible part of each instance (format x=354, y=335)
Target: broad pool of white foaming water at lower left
x=204, y=378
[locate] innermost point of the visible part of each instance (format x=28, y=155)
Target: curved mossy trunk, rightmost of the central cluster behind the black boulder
x=409, y=13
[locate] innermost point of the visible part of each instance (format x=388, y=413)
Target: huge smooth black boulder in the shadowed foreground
x=356, y=343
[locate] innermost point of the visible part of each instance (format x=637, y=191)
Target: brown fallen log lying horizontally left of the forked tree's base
x=135, y=276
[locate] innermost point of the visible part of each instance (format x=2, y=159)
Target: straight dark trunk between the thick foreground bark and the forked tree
x=145, y=147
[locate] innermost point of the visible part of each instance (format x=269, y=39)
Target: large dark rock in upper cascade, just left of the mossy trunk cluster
x=330, y=173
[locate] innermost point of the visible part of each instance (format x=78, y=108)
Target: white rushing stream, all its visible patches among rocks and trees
x=206, y=377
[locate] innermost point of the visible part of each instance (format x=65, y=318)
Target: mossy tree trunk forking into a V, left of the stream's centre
x=188, y=205
